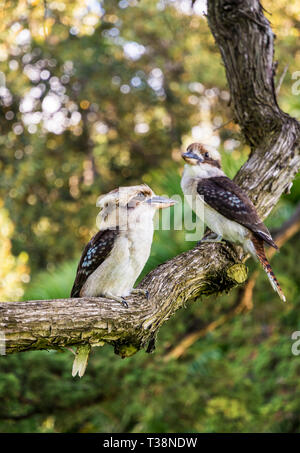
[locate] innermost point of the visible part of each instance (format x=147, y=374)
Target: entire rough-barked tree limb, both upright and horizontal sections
x=245, y=39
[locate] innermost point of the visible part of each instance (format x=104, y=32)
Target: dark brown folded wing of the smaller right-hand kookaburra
x=226, y=197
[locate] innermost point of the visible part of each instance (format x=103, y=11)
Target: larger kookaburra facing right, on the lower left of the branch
x=114, y=258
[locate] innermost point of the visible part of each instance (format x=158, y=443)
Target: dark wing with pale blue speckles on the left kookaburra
x=95, y=252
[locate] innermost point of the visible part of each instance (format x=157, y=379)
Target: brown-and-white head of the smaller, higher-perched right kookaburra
x=198, y=154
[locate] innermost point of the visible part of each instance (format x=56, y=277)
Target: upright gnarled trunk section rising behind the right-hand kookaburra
x=245, y=40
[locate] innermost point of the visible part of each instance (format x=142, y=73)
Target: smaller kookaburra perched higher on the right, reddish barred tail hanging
x=224, y=207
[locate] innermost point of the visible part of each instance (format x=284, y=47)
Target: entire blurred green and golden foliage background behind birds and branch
x=100, y=94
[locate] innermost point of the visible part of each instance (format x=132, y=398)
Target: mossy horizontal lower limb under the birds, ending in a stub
x=49, y=324
